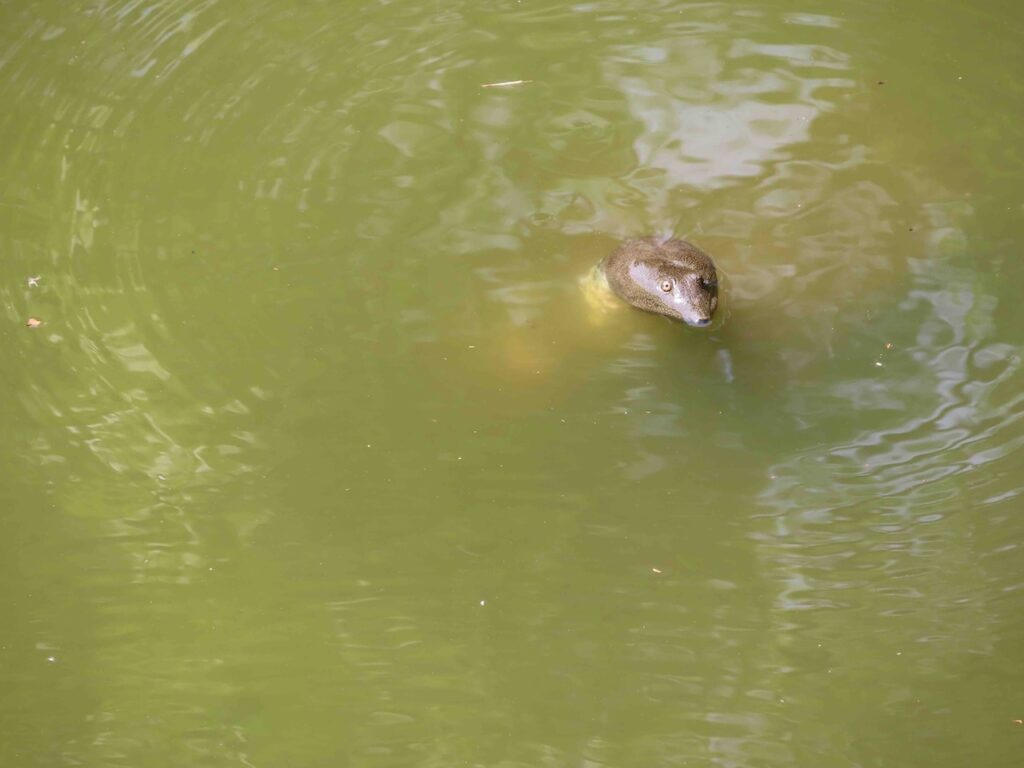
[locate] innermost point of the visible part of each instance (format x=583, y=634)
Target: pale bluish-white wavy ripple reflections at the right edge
x=945, y=406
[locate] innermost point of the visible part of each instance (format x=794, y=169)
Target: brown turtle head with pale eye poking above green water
x=666, y=277
